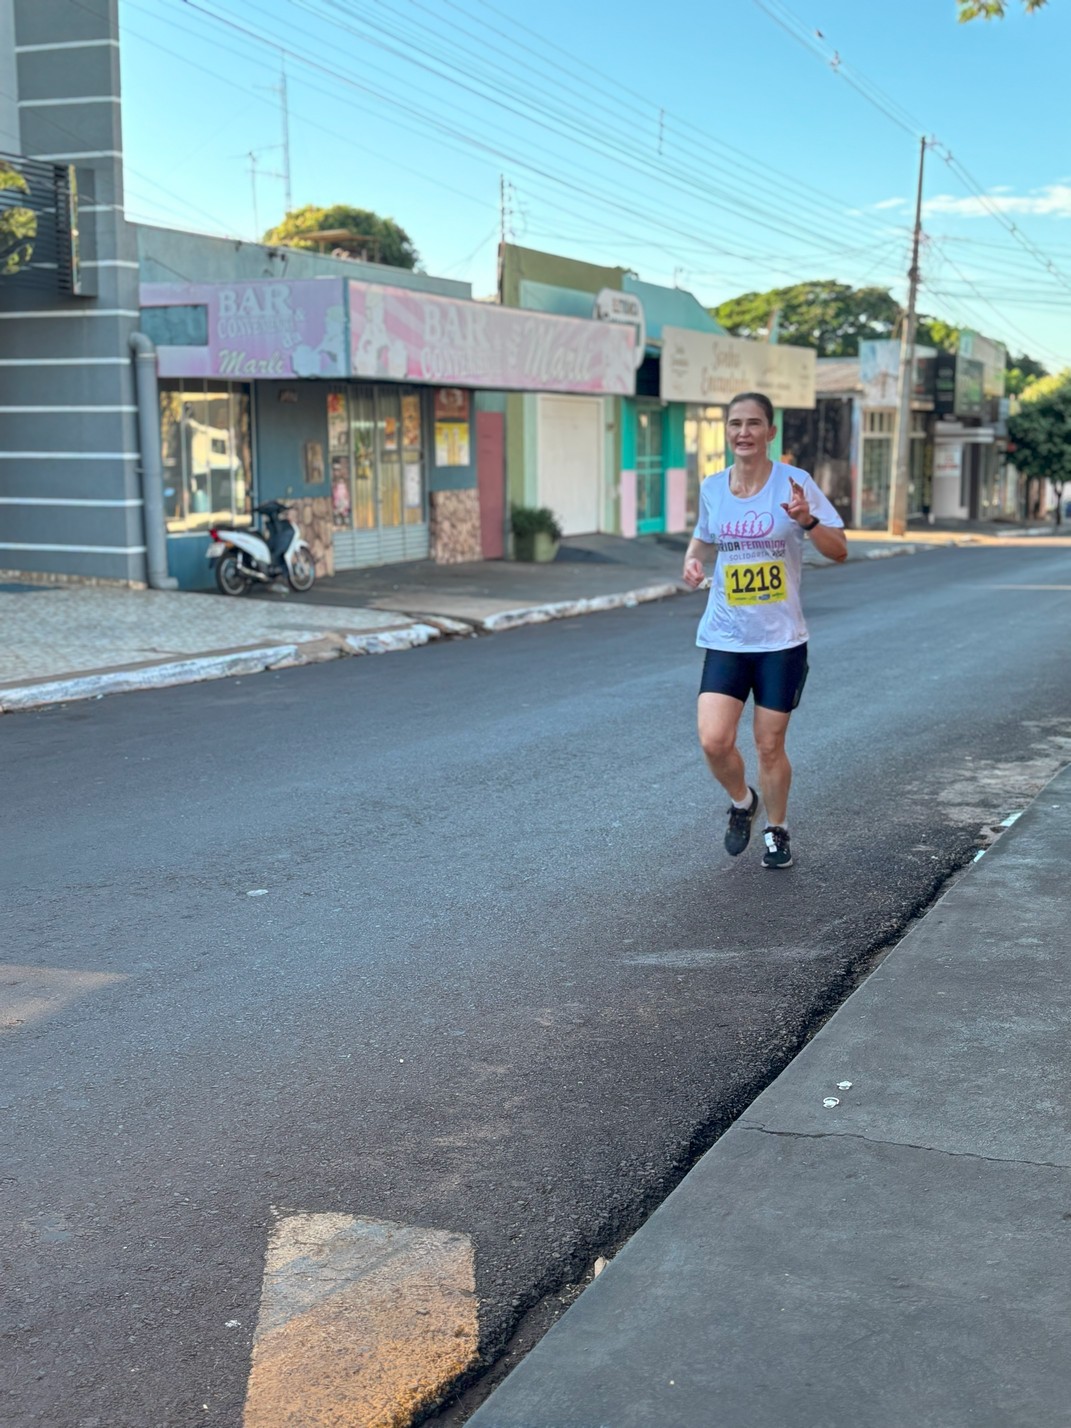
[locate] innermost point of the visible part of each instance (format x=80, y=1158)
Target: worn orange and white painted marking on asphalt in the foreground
x=362, y=1323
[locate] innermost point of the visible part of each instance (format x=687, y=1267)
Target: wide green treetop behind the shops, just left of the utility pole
x=830, y=318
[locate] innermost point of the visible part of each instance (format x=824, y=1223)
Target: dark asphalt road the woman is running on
x=503, y=979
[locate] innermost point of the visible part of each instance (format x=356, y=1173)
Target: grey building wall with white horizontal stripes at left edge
x=71, y=501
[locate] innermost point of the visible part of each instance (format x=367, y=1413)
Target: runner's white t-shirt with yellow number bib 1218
x=755, y=593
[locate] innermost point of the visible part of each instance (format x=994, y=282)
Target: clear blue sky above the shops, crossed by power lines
x=722, y=145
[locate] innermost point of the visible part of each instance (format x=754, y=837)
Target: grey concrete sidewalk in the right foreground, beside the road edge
x=885, y=1237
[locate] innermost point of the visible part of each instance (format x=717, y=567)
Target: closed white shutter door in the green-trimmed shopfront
x=570, y=466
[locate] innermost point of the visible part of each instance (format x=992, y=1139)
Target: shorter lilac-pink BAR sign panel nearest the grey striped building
x=262, y=329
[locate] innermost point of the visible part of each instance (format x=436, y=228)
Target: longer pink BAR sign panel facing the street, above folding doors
x=405, y=336
